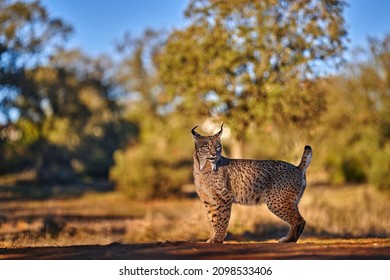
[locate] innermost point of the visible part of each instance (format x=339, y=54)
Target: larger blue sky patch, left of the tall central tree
x=98, y=24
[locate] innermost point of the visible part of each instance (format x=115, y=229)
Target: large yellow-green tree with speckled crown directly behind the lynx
x=252, y=62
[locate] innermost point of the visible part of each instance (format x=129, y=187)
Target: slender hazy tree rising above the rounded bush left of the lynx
x=137, y=77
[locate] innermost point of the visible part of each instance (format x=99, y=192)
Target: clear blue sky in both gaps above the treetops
x=99, y=24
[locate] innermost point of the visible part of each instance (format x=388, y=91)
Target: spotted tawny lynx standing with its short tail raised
x=222, y=181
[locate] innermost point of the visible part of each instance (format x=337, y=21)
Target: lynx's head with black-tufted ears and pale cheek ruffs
x=207, y=148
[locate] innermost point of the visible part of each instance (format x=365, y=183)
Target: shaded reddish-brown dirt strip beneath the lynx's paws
x=305, y=249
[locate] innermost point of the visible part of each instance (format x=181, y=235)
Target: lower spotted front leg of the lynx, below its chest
x=218, y=215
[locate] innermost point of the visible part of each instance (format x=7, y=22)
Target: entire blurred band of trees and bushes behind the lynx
x=264, y=68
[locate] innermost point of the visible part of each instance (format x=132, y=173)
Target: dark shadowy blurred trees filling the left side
x=68, y=122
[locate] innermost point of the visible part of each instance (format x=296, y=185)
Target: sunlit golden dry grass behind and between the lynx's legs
x=103, y=218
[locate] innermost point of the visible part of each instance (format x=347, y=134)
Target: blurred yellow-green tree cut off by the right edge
x=370, y=81
